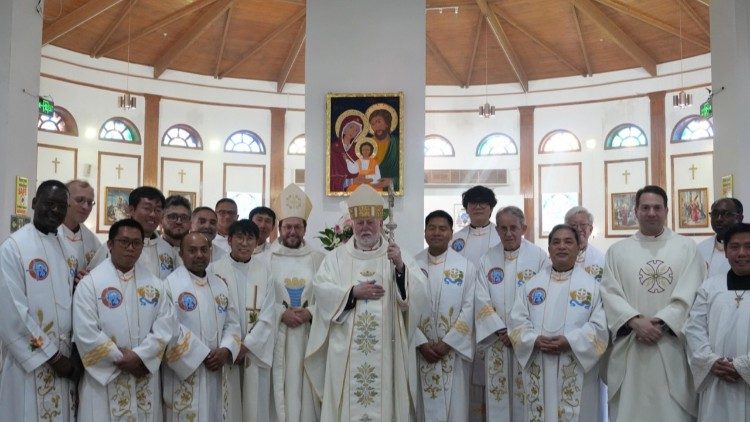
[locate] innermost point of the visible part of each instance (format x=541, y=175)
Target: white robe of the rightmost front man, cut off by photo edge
x=712, y=331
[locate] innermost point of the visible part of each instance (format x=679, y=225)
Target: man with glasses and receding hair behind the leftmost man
x=72, y=231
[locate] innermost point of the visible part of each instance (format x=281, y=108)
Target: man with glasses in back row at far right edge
x=725, y=213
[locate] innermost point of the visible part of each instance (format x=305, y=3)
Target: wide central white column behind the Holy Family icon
x=367, y=46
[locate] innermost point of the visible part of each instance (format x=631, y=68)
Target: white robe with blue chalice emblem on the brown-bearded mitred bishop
x=292, y=273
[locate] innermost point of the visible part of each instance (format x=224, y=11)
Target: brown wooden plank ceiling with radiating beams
x=521, y=40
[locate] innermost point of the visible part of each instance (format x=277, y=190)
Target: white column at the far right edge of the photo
x=730, y=68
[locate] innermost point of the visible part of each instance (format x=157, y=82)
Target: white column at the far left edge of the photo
x=20, y=57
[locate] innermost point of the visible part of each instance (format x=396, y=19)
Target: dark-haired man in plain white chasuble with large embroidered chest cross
x=649, y=283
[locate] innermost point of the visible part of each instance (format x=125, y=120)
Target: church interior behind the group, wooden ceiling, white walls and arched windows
x=581, y=102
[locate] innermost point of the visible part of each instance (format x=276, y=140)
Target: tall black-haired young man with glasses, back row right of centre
x=473, y=241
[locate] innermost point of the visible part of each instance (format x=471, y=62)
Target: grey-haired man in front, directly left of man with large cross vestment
x=559, y=333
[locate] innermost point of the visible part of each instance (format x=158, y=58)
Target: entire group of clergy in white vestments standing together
x=208, y=319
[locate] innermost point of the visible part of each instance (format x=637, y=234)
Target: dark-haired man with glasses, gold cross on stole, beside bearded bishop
x=247, y=278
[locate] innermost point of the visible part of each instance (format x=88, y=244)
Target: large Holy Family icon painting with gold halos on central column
x=364, y=142
